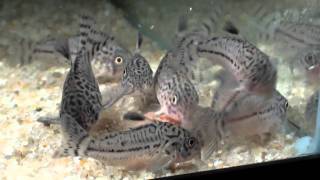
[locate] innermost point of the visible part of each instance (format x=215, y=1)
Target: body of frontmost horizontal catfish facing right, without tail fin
x=151, y=146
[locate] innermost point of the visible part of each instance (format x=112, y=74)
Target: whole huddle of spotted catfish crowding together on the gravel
x=246, y=103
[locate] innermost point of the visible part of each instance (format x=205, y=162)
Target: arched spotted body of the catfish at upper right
x=250, y=66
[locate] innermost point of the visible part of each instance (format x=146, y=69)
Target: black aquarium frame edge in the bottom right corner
x=305, y=166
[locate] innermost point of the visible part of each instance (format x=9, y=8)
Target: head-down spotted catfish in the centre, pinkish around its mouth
x=179, y=63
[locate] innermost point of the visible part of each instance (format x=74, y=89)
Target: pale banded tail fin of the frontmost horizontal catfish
x=75, y=138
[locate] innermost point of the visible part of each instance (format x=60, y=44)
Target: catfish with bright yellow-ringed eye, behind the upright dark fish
x=111, y=54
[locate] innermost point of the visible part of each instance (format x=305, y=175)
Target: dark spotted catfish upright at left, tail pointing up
x=81, y=97
